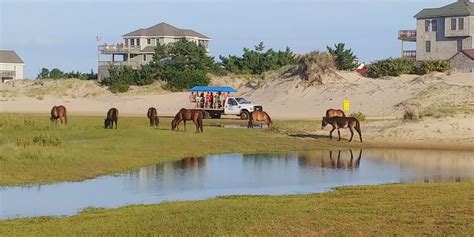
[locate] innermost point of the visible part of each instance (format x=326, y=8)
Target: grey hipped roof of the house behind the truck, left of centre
x=164, y=29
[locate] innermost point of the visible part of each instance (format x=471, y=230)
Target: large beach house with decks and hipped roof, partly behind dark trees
x=138, y=46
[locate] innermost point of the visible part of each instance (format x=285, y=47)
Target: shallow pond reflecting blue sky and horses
x=236, y=174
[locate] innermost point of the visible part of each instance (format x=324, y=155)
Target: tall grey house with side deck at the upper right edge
x=445, y=33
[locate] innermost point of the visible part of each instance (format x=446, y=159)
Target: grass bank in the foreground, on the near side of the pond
x=401, y=209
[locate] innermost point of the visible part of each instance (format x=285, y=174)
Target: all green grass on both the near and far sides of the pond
x=34, y=151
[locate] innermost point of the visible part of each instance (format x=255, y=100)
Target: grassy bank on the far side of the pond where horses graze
x=34, y=151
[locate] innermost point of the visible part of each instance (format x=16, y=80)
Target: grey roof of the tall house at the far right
x=459, y=8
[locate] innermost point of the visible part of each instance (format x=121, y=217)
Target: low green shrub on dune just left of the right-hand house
x=391, y=67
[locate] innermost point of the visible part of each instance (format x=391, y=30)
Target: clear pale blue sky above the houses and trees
x=62, y=33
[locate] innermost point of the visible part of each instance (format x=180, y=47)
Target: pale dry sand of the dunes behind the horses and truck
x=383, y=101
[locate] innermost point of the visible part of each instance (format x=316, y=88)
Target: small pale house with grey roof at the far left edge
x=11, y=66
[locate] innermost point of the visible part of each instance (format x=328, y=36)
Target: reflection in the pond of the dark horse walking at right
x=332, y=162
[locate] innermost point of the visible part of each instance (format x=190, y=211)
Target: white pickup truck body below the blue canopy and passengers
x=238, y=106
